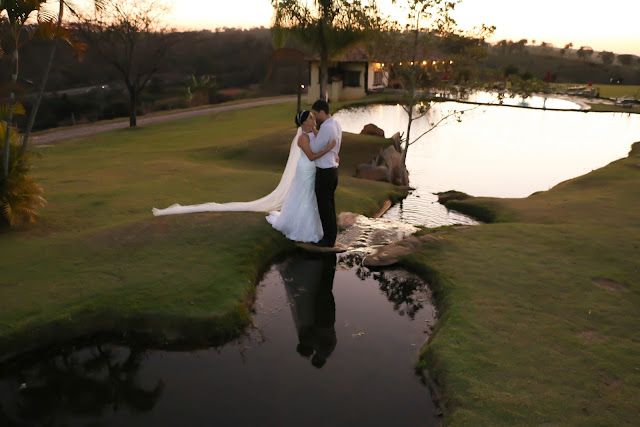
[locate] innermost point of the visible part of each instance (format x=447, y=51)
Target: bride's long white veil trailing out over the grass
x=271, y=202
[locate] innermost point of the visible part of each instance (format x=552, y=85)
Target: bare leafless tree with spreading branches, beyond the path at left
x=129, y=35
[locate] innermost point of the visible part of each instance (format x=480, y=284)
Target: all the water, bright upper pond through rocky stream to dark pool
x=332, y=343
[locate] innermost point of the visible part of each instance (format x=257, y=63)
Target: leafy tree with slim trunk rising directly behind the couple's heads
x=325, y=26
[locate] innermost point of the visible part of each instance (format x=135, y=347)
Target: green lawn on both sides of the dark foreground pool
x=539, y=309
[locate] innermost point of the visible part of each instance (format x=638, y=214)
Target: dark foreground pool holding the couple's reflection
x=332, y=344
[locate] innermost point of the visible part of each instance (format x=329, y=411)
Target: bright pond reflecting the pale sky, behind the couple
x=496, y=151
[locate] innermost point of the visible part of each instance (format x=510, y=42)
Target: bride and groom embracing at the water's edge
x=302, y=206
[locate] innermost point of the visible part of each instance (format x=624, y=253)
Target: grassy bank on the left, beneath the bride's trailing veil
x=98, y=260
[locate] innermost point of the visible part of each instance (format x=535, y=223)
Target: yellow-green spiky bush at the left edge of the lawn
x=20, y=195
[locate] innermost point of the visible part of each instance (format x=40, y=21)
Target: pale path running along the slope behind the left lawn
x=77, y=132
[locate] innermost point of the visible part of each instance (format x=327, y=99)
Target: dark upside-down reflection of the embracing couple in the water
x=308, y=281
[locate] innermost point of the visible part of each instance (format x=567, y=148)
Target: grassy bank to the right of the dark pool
x=540, y=310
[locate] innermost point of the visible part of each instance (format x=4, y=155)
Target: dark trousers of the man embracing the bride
x=326, y=183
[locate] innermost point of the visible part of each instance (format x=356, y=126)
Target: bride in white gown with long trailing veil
x=298, y=218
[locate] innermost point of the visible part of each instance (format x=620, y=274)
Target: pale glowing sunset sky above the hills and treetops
x=559, y=22
